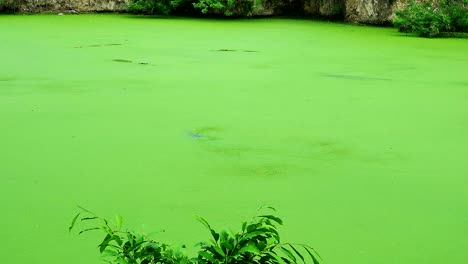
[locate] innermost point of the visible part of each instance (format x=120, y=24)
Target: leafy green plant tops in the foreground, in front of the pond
x=258, y=242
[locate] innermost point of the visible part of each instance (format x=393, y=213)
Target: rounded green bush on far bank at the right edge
x=432, y=19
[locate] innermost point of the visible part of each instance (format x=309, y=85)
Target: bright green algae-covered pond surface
x=357, y=135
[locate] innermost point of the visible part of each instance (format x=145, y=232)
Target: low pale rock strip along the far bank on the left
x=71, y=6
